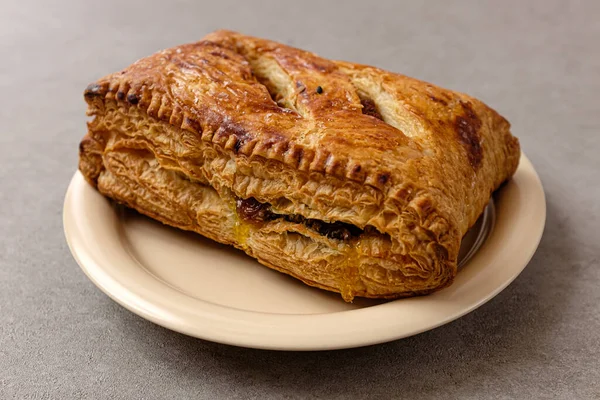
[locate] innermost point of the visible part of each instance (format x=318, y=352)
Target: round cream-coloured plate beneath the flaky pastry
x=187, y=283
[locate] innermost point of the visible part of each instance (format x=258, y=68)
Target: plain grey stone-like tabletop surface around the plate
x=538, y=64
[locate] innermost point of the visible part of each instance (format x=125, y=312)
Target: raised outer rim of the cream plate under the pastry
x=245, y=328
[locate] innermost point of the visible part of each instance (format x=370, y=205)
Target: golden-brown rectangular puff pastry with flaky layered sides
x=345, y=176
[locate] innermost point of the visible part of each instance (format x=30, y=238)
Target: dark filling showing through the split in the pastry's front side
x=253, y=211
